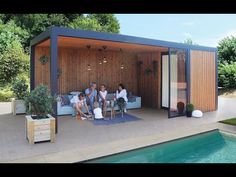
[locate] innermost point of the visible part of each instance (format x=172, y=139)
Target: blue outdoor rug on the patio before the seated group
x=116, y=120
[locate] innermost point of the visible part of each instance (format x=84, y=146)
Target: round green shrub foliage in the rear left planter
x=20, y=88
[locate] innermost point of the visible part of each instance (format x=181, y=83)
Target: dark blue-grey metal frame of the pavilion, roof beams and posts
x=54, y=32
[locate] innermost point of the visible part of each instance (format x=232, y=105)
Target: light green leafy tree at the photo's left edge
x=13, y=60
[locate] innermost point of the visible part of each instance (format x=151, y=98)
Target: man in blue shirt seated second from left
x=91, y=95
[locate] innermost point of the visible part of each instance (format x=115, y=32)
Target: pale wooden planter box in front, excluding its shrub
x=38, y=130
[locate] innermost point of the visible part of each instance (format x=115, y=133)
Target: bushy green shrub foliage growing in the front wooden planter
x=39, y=102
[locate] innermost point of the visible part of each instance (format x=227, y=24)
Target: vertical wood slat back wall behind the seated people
x=75, y=76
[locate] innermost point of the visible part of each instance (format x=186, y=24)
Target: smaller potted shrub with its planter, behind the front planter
x=20, y=90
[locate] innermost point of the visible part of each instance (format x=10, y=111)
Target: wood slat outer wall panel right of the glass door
x=203, y=80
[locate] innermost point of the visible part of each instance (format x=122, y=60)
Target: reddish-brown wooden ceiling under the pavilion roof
x=98, y=44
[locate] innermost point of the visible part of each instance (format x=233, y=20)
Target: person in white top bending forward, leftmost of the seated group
x=79, y=102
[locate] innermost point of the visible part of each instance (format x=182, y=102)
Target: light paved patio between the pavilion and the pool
x=80, y=140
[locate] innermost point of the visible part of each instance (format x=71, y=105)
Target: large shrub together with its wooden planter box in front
x=40, y=125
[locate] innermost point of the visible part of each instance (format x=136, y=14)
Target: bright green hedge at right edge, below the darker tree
x=227, y=75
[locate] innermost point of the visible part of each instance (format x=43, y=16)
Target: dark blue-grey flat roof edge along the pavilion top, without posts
x=109, y=37
